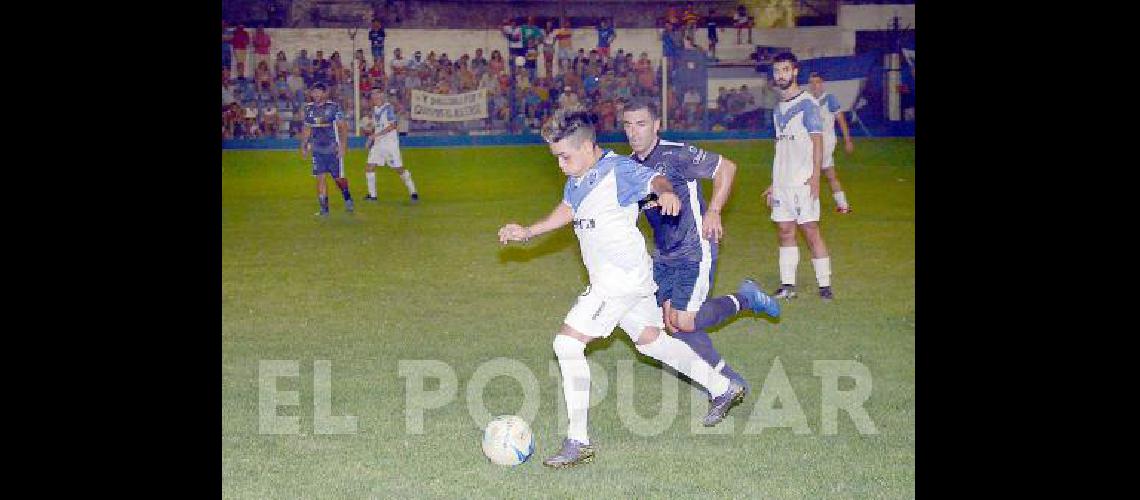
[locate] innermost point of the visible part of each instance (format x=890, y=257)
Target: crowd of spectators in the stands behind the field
x=267, y=100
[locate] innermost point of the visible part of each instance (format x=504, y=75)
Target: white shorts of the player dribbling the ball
x=596, y=316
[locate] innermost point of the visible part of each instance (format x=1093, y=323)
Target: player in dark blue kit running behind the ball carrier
x=685, y=260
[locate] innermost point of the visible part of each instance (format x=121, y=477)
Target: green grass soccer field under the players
x=397, y=282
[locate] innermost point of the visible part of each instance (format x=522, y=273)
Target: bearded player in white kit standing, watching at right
x=795, y=193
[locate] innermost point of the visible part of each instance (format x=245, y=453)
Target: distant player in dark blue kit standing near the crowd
x=327, y=137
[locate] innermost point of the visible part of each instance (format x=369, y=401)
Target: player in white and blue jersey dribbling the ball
x=601, y=199
